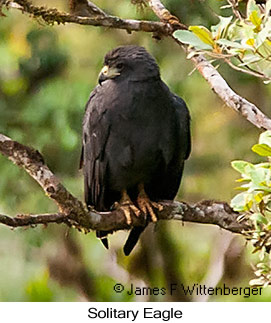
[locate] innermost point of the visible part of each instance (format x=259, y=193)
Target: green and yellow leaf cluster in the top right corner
x=243, y=41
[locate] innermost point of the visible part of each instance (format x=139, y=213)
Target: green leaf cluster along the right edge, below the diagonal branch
x=255, y=200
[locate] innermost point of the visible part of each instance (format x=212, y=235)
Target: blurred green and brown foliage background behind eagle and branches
x=46, y=75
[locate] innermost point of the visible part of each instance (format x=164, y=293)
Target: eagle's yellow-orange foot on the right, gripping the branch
x=146, y=205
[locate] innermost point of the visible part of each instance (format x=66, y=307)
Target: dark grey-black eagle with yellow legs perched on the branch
x=136, y=137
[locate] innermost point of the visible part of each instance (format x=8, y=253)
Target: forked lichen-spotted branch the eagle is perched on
x=73, y=213
